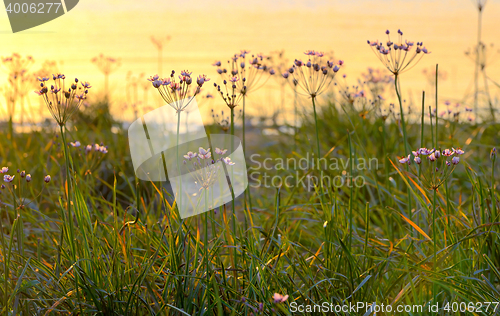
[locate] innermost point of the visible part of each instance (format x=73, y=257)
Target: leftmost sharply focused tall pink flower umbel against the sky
x=62, y=101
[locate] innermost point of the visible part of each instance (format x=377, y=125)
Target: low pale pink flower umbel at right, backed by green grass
x=433, y=167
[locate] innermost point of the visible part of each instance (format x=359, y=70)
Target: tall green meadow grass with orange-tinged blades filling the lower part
x=131, y=254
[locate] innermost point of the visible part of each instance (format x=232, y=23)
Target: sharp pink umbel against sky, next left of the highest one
x=314, y=75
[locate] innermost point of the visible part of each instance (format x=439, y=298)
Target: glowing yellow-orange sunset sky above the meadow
x=205, y=31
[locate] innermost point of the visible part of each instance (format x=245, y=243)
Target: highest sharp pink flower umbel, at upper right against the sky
x=398, y=57
